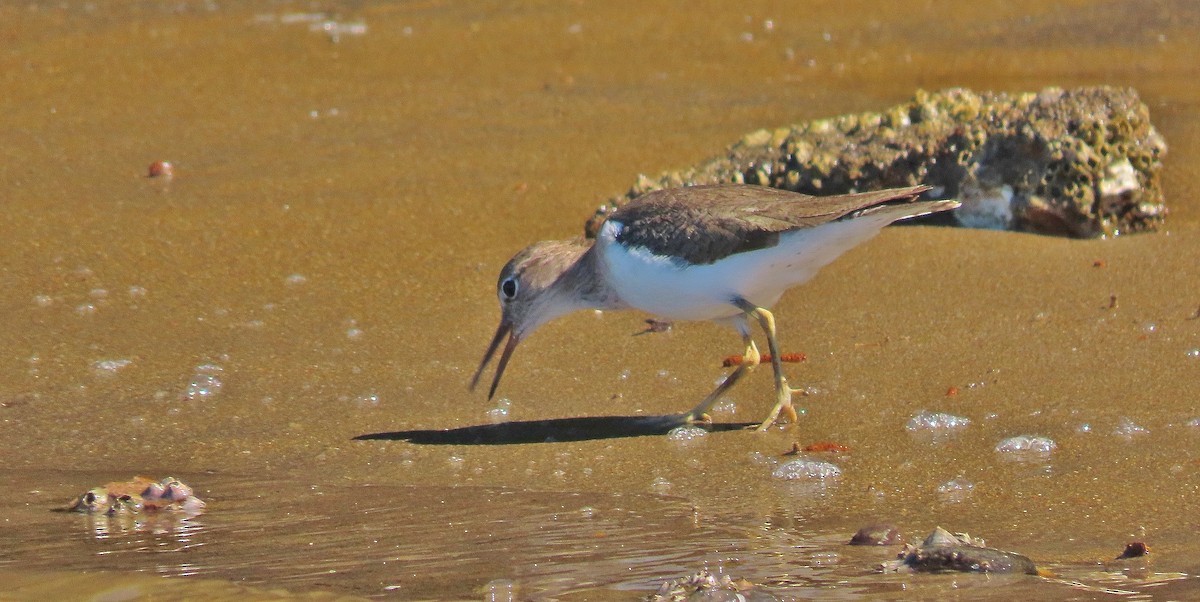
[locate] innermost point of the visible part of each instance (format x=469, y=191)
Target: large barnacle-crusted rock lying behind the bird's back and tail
x=1084, y=162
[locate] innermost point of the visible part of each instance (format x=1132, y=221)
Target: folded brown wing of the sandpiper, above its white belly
x=701, y=225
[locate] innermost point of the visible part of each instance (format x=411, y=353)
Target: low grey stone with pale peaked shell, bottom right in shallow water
x=944, y=551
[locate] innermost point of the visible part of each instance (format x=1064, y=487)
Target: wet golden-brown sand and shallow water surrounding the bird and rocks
x=327, y=254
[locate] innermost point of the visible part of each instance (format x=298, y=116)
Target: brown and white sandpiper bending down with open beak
x=724, y=254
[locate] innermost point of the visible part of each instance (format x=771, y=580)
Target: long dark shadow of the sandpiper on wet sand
x=549, y=431
